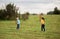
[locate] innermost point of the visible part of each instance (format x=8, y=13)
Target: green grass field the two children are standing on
x=30, y=29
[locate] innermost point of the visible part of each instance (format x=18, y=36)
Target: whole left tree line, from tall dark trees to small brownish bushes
x=11, y=12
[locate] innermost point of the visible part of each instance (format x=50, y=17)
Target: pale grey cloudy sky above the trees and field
x=32, y=6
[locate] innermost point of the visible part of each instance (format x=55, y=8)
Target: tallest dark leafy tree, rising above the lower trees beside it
x=11, y=11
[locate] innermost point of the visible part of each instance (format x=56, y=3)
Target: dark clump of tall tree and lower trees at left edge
x=9, y=13
